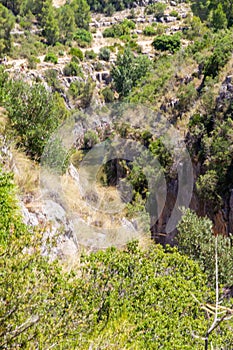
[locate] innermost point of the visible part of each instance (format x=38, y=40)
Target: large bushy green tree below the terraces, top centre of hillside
x=128, y=71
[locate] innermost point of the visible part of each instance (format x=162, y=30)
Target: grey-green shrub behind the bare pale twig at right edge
x=196, y=239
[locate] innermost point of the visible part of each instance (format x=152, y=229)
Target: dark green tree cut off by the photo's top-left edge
x=6, y=25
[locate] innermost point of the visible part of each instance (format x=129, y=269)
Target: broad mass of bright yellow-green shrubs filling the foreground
x=113, y=298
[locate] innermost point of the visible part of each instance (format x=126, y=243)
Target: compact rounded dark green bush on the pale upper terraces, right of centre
x=169, y=43
